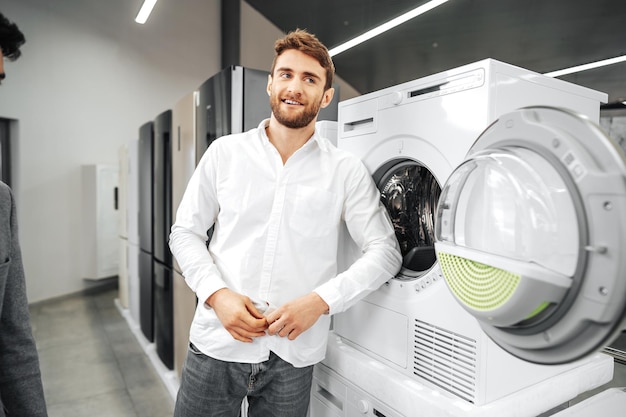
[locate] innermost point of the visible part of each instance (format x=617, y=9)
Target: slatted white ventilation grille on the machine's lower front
x=446, y=359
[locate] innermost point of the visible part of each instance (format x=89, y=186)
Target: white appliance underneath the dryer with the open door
x=349, y=383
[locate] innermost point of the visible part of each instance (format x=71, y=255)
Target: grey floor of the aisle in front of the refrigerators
x=91, y=363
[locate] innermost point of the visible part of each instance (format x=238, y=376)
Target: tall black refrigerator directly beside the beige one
x=162, y=223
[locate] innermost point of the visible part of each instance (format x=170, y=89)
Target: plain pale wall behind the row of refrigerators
x=88, y=77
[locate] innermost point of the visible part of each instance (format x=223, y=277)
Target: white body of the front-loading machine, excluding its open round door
x=412, y=324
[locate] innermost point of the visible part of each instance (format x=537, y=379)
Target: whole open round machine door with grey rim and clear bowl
x=530, y=234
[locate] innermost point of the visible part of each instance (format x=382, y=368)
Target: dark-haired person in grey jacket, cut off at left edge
x=21, y=389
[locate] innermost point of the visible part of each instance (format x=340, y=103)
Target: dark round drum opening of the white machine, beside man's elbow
x=410, y=193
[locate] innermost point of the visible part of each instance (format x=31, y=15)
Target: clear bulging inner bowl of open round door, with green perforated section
x=509, y=236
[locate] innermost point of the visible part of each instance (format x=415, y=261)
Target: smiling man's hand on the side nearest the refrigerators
x=238, y=314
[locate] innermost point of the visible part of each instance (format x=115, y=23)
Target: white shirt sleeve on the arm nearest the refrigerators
x=195, y=216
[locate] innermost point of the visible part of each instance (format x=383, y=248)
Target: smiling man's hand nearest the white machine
x=295, y=317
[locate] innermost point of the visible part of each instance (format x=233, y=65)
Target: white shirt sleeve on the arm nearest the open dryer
x=371, y=229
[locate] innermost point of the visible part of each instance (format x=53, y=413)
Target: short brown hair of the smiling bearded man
x=307, y=43
